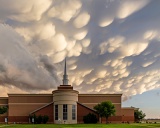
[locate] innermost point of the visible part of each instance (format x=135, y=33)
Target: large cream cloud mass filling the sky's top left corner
x=24, y=11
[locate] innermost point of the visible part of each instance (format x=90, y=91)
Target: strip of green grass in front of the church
x=81, y=126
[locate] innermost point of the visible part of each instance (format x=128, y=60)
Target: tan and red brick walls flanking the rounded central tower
x=22, y=105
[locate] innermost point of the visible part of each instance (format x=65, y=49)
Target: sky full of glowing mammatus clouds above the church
x=112, y=46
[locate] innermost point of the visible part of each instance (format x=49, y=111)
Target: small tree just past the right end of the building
x=139, y=115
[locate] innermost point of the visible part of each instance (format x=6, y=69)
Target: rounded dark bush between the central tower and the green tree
x=90, y=118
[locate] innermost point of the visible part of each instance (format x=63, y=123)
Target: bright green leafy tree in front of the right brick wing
x=105, y=109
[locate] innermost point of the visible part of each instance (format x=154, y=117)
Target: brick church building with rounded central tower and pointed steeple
x=64, y=105
